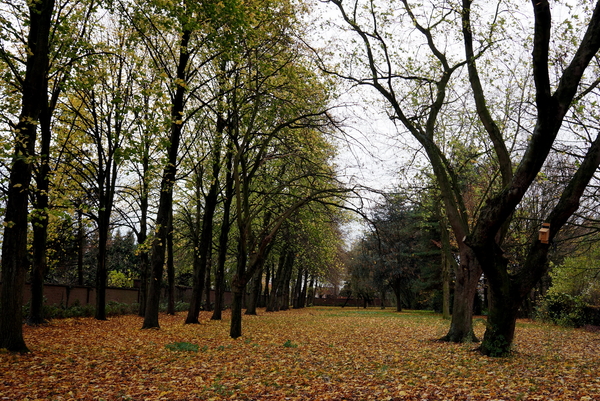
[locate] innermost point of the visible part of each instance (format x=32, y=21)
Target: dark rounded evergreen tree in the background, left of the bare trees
x=399, y=254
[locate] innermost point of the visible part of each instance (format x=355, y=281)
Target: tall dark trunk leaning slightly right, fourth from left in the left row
x=166, y=194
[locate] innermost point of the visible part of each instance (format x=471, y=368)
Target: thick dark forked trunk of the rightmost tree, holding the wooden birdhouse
x=507, y=290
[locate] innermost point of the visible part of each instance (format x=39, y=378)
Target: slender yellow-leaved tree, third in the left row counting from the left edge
x=100, y=106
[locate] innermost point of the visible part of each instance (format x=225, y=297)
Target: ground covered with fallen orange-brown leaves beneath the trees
x=314, y=353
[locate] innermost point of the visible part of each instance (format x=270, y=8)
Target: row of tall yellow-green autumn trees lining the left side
x=196, y=121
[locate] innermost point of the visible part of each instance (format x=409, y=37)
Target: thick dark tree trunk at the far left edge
x=14, y=246
